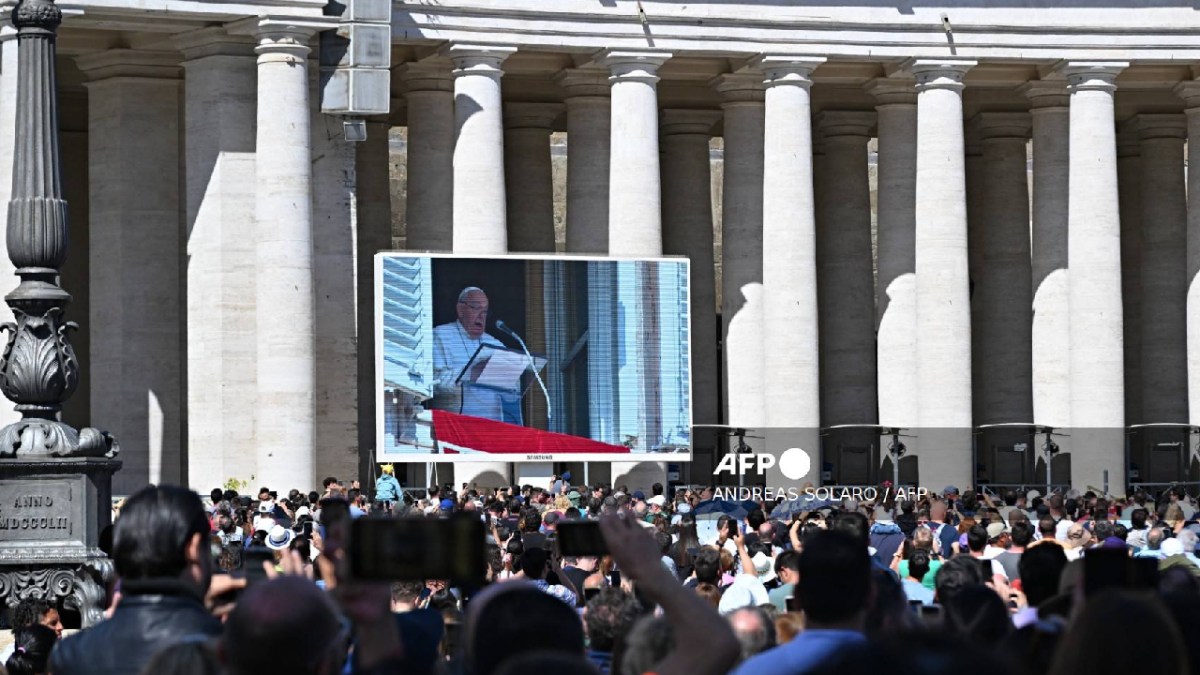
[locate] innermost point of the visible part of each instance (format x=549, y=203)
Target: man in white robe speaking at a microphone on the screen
x=454, y=345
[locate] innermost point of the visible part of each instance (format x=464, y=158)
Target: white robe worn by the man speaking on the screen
x=453, y=349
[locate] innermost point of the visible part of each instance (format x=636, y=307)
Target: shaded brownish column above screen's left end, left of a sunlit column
x=429, y=211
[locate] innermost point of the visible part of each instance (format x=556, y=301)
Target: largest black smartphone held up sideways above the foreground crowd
x=409, y=549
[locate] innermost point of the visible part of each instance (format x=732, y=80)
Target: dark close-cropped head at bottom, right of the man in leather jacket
x=286, y=625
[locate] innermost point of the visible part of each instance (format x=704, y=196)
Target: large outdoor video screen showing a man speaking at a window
x=532, y=359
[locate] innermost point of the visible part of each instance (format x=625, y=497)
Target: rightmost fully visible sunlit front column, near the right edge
x=1094, y=247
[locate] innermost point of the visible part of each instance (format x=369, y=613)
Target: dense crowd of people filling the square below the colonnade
x=1009, y=584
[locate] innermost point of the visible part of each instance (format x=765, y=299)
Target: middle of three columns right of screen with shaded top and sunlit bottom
x=897, y=301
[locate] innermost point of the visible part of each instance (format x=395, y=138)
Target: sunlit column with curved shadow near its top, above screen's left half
x=479, y=205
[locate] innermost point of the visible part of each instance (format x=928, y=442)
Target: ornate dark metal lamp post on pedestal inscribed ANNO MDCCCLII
x=56, y=482
